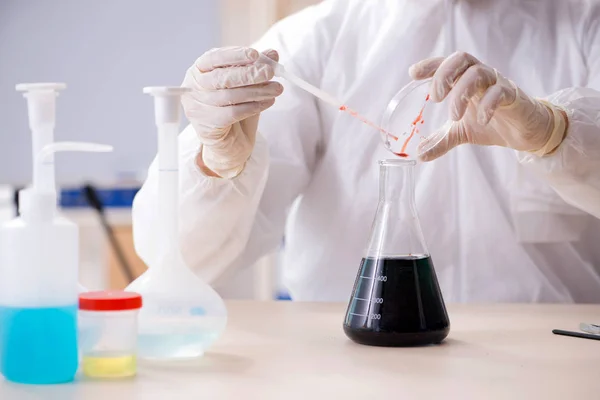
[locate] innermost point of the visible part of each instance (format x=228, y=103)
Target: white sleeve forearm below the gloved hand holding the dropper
x=214, y=214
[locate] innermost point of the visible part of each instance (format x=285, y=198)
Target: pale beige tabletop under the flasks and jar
x=289, y=350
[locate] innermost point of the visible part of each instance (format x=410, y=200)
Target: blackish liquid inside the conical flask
x=397, y=302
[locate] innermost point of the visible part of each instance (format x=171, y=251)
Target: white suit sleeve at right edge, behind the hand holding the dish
x=574, y=169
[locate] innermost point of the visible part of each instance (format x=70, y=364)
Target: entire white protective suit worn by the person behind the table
x=500, y=225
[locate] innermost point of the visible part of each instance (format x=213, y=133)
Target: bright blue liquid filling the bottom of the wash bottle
x=38, y=345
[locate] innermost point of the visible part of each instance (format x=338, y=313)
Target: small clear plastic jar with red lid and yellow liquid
x=108, y=333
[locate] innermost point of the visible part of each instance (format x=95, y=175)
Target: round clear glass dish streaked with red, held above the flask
x=417, y=122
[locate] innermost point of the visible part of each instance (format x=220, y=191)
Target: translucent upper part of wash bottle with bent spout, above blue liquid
x=39, y=250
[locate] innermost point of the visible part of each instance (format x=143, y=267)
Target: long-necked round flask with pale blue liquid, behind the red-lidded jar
x=182, y=316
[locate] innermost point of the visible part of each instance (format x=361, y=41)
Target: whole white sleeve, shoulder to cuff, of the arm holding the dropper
x=225, y=224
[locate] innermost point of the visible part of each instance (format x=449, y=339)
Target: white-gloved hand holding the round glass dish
x=487, y=108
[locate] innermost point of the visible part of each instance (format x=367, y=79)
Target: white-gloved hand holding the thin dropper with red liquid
x=229, y=91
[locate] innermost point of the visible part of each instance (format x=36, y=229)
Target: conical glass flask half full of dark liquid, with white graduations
x=396, y=300
